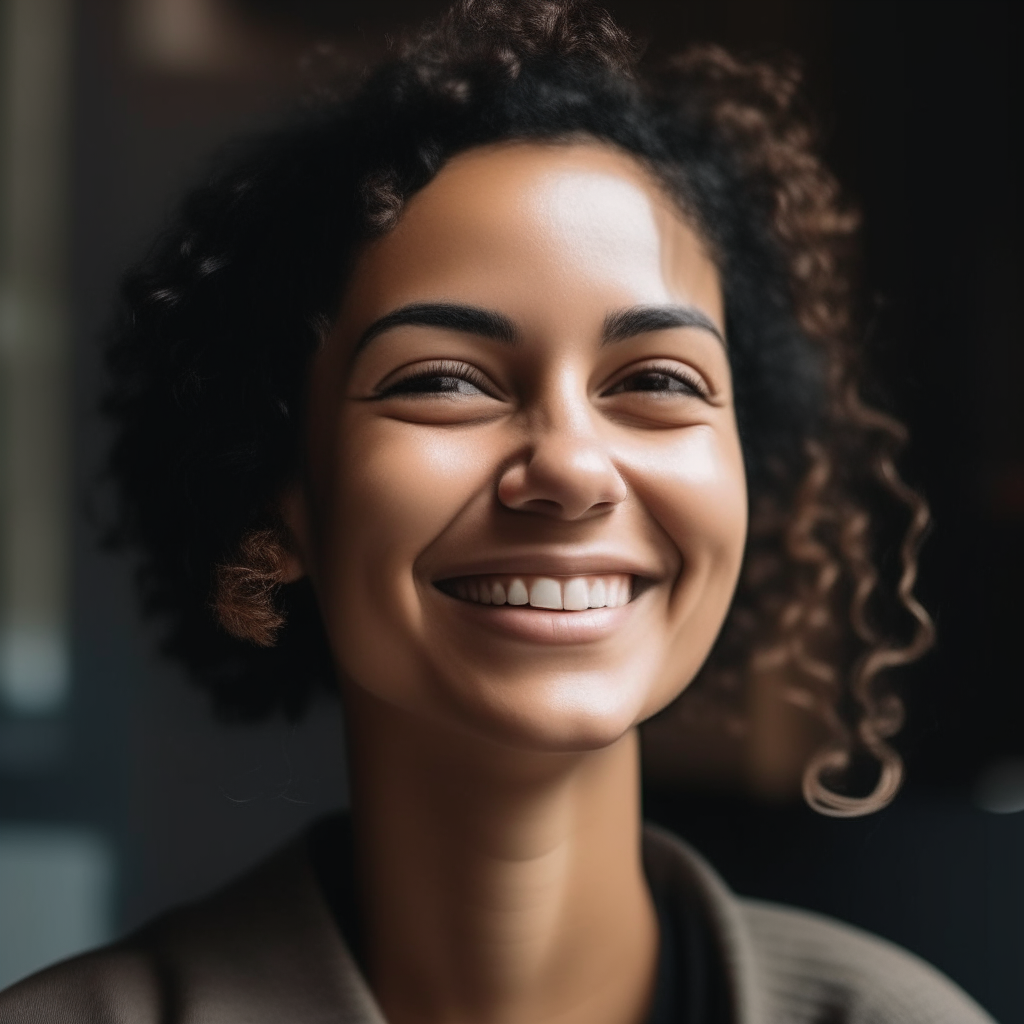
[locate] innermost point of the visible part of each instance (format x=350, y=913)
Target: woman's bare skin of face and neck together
x=494, y=751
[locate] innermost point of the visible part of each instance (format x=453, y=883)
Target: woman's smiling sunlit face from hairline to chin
x=526, y=509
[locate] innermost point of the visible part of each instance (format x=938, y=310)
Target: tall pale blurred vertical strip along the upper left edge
x=34, y=395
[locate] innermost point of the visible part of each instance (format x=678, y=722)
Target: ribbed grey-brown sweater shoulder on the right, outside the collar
x=813, y=966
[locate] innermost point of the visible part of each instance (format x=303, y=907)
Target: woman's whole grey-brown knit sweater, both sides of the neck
x=266, y=951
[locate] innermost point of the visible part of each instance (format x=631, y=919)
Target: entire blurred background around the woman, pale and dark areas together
x=119, y=796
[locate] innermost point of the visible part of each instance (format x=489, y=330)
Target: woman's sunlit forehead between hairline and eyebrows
x=516, y=223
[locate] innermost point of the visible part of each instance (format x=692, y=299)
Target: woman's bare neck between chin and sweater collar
x=498, y=886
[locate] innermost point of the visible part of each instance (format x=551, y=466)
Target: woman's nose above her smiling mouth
x=566, y=472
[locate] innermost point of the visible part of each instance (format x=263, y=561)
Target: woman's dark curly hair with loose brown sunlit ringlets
x=219, y=324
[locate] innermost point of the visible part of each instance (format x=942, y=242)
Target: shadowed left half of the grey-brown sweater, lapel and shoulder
x=264, y=950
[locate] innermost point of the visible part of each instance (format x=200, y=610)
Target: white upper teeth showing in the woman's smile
x=567, y=593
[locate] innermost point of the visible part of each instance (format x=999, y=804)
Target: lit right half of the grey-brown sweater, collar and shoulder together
x=787, y=966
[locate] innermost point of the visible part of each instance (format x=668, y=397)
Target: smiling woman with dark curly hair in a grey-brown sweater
x=509, y=396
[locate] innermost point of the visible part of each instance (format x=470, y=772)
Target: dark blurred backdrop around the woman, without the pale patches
x=920, y=106
